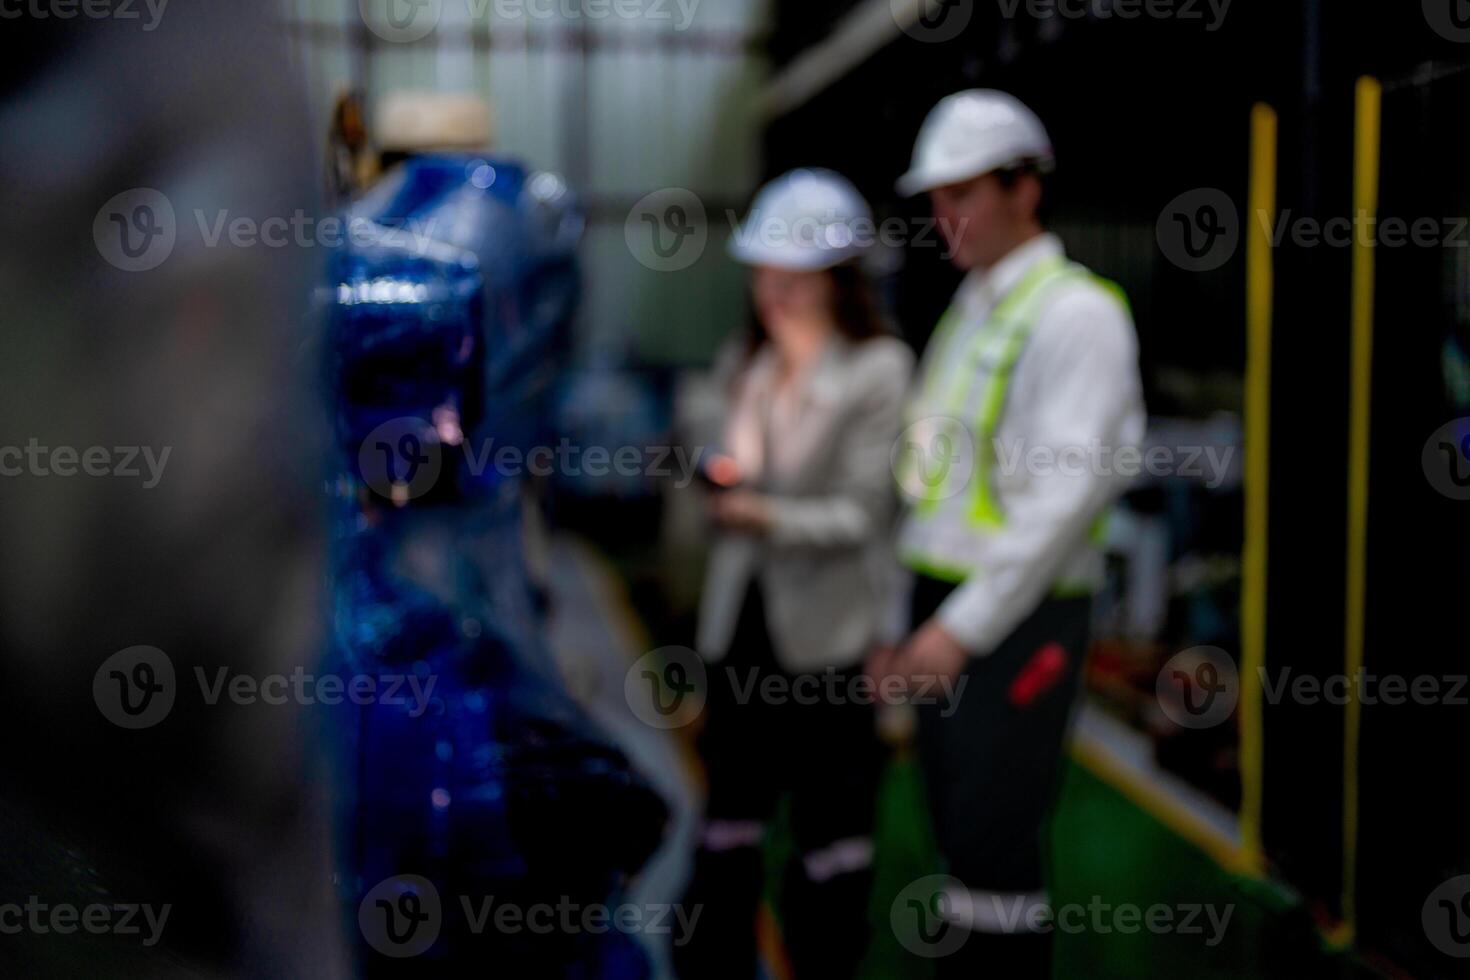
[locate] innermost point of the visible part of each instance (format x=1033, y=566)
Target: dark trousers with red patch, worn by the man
x=992, y=772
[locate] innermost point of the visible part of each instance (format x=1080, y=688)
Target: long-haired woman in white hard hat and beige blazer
x=792, y=596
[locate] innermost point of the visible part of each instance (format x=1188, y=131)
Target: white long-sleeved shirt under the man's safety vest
x=1075, y=392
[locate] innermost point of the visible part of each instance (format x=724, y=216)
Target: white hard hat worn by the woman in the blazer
x=806, y=221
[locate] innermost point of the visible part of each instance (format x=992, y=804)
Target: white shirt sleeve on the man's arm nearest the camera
x=1077, y=389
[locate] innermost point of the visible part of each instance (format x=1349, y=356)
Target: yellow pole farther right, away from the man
x=1365, y=212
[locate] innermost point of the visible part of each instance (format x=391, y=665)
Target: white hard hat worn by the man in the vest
x=974, y=133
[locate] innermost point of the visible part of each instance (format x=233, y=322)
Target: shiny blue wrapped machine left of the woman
x=452, y=309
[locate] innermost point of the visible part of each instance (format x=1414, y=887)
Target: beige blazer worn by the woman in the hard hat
x=824, y=566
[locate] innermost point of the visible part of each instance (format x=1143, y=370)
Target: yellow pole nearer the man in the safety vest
x=1259, y=300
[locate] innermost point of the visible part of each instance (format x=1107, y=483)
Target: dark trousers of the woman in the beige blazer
x=822, y=753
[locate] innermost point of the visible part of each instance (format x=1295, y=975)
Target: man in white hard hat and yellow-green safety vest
x=1028, y=390
